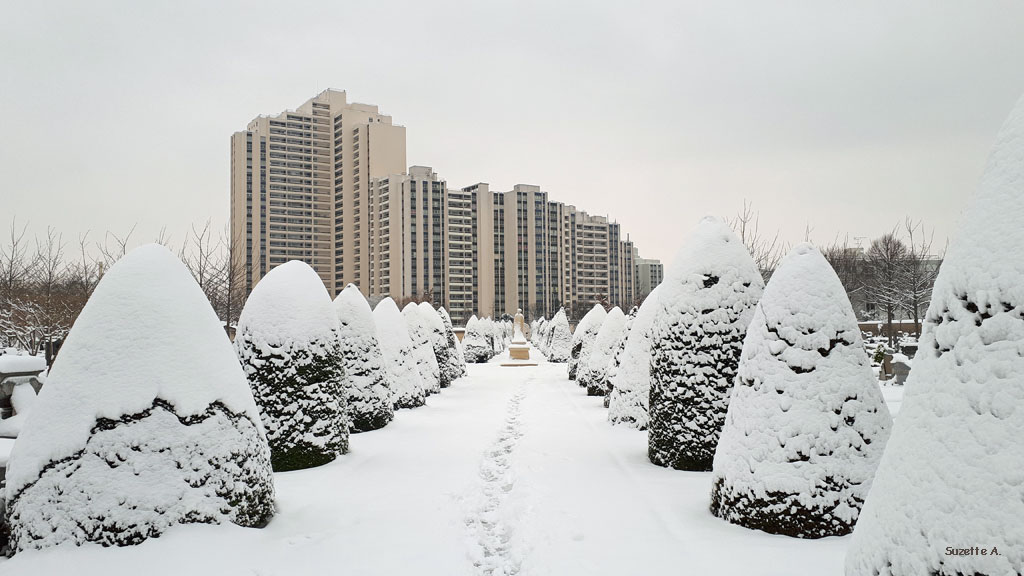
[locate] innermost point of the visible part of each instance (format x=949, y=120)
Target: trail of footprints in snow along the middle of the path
x=489, y=529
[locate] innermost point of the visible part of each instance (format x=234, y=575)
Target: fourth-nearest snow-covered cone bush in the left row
x=407, y=385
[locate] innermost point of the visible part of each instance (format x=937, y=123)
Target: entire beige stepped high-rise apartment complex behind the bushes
x=327, y=184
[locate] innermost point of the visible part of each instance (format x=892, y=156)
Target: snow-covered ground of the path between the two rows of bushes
x=510, y=471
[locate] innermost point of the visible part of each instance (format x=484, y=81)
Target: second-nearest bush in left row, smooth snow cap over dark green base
x=288, y=344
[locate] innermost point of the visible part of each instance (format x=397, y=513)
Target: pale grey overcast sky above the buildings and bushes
x=841, y=116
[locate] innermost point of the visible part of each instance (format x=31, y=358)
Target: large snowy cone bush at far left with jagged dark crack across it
x=146, y=421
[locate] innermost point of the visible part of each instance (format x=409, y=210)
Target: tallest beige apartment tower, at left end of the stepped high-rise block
x=301, y=186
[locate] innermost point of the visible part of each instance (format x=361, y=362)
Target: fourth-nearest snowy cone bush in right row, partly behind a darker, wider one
x=631, y=385
